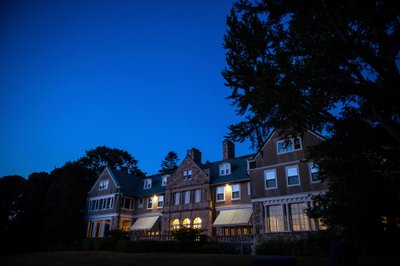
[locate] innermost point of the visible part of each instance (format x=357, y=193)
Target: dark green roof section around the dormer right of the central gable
x=238, y=170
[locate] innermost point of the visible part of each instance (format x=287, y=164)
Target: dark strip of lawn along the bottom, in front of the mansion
x=106, y=258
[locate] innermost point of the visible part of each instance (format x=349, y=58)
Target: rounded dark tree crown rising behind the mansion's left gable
x=98, y=158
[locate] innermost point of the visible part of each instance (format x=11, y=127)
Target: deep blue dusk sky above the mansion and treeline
x=141, y=76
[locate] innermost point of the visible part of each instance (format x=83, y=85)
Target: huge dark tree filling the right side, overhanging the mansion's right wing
x=330, y=66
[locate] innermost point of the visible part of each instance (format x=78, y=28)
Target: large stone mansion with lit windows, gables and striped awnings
x=237, y=198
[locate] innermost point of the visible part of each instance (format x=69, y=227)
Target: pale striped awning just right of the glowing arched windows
x=233, y=217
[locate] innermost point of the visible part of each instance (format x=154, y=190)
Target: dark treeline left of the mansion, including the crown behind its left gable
x=46, y=211
